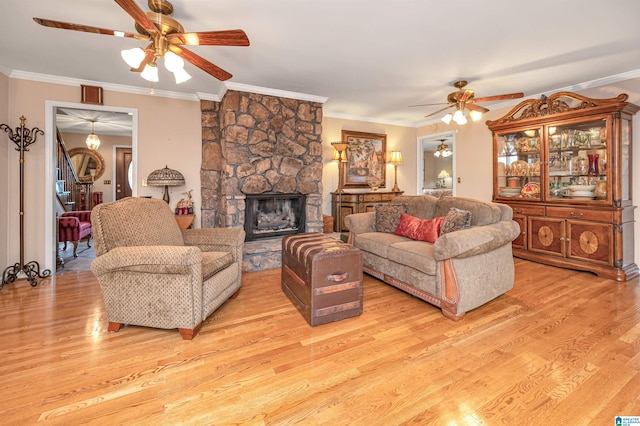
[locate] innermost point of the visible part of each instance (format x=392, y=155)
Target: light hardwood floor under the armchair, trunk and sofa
x=561, y=348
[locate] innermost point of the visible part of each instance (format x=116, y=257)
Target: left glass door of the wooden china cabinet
x=518, y=164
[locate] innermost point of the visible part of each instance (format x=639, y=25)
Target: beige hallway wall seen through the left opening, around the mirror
x=107, y=151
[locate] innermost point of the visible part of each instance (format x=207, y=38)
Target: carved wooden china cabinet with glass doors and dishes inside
x=563, y=163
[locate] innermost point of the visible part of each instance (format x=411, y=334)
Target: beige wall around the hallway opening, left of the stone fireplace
x=169, y=133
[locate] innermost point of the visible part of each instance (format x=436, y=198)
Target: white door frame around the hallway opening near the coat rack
x=50, y=166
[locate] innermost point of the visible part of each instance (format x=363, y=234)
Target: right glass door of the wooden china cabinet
x=577, y=161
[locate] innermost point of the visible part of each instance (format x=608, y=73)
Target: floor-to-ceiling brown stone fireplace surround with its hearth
x=258, y=144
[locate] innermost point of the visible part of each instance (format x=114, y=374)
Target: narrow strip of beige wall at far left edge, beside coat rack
x=5, y=208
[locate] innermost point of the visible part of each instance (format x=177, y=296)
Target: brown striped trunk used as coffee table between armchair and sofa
x=322, y=277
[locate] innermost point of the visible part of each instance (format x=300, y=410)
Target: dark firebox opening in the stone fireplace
x=273, y=215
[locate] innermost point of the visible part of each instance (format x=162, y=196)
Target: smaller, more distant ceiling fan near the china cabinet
x=464, y=99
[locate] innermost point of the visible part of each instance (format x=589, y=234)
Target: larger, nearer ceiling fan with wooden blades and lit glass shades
x=167, y=39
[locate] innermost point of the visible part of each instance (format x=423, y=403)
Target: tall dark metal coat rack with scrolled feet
x=23, y=137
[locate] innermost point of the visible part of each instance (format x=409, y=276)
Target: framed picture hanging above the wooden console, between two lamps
x=366, y=159
